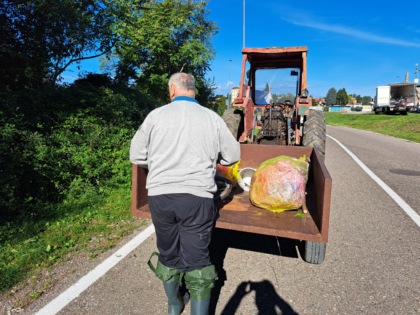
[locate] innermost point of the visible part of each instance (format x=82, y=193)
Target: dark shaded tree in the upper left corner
x=41, y=38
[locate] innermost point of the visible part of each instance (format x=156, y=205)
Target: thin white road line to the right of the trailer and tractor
x=407, y=209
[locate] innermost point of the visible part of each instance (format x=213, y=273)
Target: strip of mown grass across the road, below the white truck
x=400, y=126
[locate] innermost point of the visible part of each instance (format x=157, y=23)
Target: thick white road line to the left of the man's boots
x=85, y=282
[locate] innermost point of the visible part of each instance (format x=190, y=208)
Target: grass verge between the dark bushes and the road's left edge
x=92, y=223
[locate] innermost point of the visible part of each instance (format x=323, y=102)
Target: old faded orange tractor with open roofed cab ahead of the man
x=260, y=116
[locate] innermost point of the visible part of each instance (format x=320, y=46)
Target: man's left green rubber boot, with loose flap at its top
x=171, y=278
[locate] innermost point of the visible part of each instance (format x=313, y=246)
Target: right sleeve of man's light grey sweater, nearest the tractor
x=230, y=150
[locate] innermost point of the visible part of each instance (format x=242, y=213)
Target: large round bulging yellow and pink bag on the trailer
x=279, y=183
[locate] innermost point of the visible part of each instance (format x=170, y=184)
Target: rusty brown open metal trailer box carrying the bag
x=237, y=213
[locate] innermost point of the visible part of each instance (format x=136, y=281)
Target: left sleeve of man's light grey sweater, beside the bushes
x=139, y=145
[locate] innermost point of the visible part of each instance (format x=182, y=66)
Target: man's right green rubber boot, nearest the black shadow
x=200, y=282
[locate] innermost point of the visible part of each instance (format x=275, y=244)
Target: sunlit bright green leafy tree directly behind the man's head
x=160, y=38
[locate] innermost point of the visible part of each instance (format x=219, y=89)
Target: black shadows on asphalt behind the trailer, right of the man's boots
x=266, y=298
